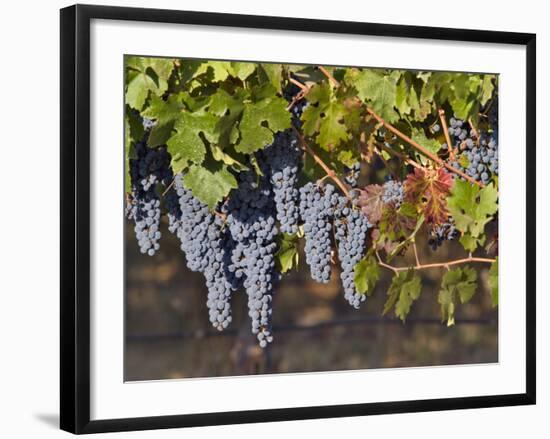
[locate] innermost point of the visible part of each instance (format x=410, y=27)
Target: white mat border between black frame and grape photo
x=111, y=398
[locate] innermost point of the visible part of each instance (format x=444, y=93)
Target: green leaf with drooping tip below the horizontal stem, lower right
x=457, y=284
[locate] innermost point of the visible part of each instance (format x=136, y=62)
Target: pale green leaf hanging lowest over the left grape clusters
x=209, y=182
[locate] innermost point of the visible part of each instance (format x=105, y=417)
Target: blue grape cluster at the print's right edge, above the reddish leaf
x=479, y=150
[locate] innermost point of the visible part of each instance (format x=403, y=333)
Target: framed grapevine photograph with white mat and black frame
x=268, y=218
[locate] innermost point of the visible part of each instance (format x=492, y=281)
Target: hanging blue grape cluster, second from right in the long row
x=316, y=209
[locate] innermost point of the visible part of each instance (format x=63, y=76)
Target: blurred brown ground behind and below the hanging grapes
x=168, y=334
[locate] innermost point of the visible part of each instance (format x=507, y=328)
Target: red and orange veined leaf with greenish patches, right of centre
x=428, y=189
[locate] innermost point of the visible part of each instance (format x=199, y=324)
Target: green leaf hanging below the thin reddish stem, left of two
x=405, y=288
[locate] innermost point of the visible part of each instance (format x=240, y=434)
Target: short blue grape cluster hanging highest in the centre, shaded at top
x=281, y=162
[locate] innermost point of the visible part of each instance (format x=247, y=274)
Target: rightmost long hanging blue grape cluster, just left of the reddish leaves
x=351, y=233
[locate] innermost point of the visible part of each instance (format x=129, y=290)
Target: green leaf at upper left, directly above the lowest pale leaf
x=186, y=145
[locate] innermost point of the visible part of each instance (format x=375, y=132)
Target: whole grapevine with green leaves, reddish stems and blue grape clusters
x=248, y=163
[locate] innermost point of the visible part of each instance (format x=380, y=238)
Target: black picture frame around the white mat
x=75, y=217
